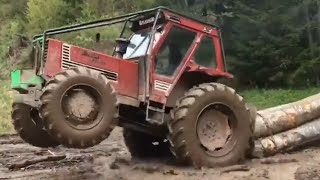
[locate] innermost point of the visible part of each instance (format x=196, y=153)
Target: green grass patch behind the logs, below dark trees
x=263, y=98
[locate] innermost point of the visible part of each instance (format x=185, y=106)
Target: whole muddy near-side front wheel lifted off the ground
x=79, y=108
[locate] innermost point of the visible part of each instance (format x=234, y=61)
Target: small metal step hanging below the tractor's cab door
x=153, y=114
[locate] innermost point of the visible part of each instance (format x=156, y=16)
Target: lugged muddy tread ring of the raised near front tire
x=47, y=115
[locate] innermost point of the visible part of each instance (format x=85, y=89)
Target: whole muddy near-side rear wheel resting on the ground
x=210, y=127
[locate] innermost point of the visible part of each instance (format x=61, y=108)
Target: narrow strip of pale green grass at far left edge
x=5, y=107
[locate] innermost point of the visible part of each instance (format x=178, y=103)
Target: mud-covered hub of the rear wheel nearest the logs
x=213, y=129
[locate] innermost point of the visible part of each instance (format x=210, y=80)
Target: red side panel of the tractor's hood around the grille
x=60, y=57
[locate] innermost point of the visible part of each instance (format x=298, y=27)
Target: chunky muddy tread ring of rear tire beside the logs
x=177, y=125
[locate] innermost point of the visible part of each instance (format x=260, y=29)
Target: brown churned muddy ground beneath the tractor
x=111, y=160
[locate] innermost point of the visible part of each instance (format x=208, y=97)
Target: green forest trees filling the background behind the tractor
x=268, y=43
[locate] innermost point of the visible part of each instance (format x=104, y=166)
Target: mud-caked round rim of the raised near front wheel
x=81, y=105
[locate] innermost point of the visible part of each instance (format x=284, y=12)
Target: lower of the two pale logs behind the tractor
x=287, y=140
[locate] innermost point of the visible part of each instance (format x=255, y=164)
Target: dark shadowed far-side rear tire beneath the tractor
x=142, y=145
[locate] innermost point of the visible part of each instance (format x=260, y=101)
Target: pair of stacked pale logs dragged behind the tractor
x=286, y=127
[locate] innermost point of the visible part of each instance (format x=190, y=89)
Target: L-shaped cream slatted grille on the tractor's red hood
x=67, y=63
